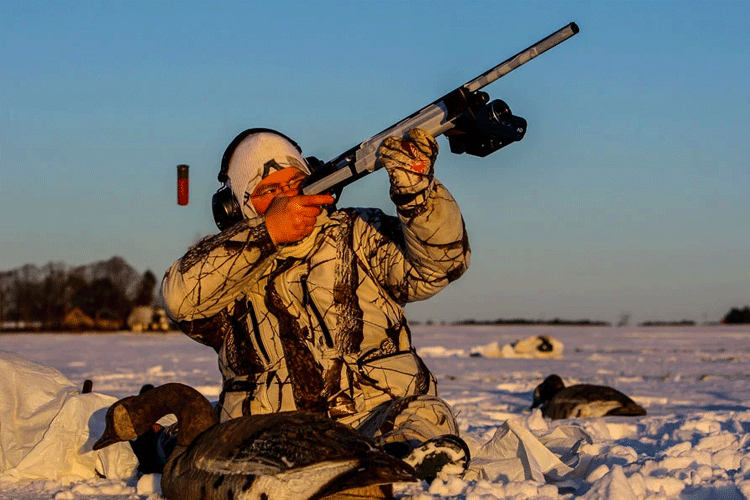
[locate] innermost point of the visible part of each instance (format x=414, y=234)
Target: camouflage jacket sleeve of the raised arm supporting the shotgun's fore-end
x=419, y=253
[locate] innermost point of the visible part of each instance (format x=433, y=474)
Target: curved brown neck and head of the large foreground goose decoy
x=130, y=417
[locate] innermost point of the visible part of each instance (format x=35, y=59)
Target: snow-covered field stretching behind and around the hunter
x=694, y=382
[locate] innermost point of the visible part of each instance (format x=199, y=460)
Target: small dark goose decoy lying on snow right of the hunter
x=582, y=400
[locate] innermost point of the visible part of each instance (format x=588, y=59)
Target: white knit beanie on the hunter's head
x=256, y=157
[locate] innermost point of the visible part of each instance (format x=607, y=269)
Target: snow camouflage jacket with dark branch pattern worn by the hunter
x=319, y=326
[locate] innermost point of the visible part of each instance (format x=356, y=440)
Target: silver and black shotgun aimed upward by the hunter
x=472, y=124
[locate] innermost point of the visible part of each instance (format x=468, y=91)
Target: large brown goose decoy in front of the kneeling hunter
x=278, y=456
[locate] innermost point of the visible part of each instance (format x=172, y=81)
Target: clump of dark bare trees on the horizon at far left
x=33, y=299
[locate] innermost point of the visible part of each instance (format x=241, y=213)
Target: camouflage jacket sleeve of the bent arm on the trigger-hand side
x=202, y=286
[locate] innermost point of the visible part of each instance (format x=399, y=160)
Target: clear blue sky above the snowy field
x=629, y=194
